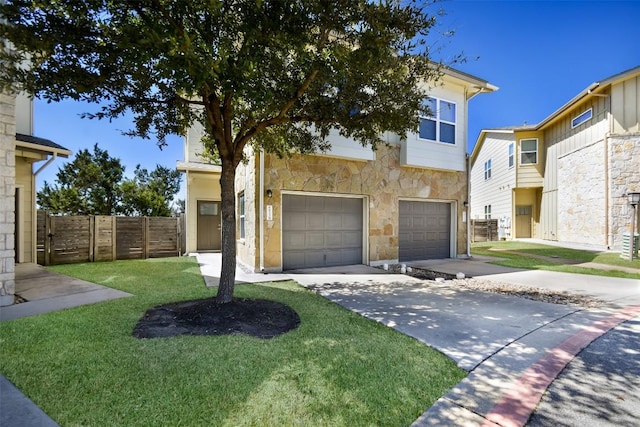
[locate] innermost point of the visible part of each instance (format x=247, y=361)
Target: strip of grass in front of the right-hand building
x=521, y=261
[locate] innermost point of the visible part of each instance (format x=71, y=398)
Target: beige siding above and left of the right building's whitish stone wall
x=560, y=140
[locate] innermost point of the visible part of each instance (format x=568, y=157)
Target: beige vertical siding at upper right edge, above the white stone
x=625, y=106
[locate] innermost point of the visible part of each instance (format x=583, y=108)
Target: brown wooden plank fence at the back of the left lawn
x=72, y=239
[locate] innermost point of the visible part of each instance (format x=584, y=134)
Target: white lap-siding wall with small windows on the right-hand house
x=496, y=191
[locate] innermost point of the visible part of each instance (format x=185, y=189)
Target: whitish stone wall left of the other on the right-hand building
x=582, y=215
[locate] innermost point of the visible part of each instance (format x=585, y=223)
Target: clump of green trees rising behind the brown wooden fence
x=93, y=184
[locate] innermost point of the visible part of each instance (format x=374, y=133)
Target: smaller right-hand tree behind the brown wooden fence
x=150, y=194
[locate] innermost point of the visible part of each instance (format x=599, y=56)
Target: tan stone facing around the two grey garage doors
x=383, y=181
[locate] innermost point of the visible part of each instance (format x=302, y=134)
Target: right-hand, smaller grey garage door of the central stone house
x=424, y=230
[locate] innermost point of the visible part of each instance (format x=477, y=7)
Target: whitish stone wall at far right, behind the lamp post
x=624, y=176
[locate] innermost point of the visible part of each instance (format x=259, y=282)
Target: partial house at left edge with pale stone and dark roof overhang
x=20, y=153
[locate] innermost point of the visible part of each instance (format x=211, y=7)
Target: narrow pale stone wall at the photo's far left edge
x=7, y=198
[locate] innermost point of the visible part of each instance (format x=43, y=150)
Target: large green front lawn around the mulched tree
x=83, y=367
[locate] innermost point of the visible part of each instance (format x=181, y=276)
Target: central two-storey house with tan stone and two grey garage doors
x=350, y=205
